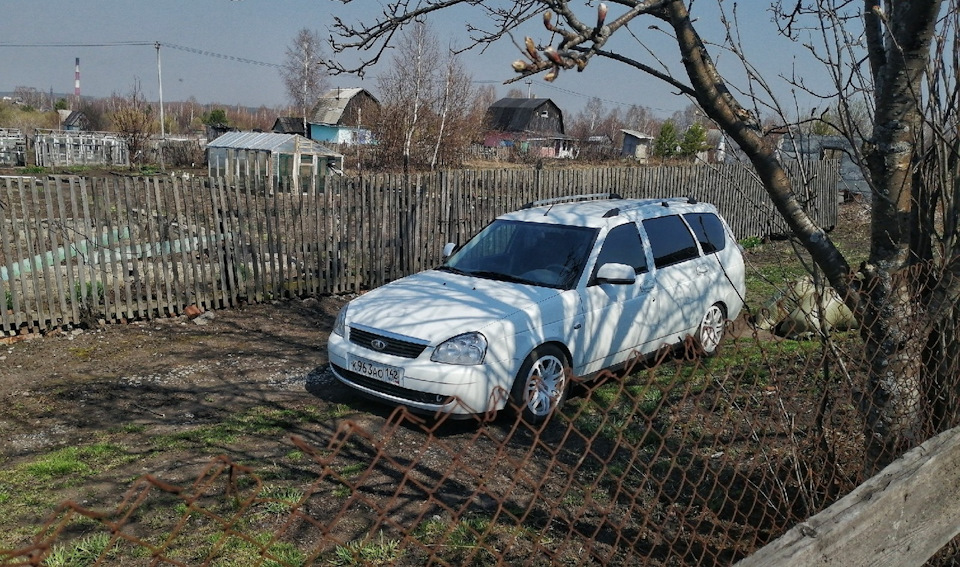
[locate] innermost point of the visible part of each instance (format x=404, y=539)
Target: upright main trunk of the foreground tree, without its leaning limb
x=892, y=324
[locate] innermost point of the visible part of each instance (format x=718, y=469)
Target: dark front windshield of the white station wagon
x=525, y=252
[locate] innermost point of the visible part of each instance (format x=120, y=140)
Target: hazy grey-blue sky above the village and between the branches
x=227, y=51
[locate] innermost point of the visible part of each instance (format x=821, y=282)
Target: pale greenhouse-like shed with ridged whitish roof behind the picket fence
x=281, y=158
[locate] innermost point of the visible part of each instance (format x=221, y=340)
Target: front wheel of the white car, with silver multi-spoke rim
x=542, y=384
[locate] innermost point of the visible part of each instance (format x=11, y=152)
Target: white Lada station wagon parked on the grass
x=555, y=290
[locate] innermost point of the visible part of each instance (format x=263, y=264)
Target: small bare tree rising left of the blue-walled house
x=304, y=72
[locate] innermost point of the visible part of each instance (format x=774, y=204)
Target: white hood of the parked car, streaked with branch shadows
x=435, y=305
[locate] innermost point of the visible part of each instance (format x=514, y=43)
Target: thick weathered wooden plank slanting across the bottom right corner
x=902, y=516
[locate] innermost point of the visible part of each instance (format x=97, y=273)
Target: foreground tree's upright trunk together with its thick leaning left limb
x=886, y=300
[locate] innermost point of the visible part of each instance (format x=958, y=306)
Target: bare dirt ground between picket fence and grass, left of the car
x=64, y=387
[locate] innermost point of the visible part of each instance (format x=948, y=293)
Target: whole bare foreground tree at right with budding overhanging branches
x=905, y=295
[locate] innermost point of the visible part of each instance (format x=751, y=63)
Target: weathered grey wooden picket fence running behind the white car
x=77, y=250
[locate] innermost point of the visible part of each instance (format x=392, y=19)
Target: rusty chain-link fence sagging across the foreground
x=680, y=460
